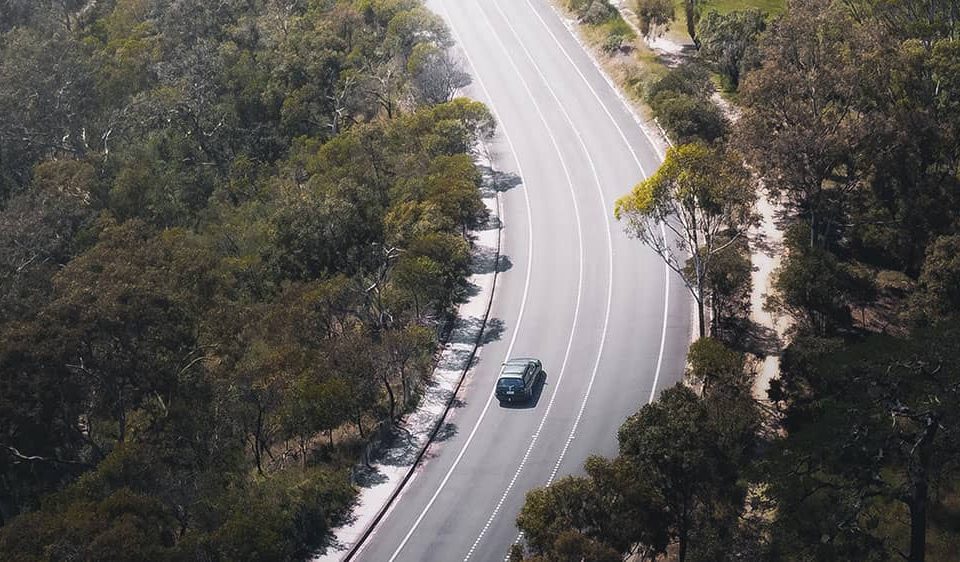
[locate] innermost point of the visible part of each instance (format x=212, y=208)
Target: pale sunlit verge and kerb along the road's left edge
x=438, y=398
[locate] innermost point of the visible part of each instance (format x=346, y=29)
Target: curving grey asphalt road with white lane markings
x=609, y=323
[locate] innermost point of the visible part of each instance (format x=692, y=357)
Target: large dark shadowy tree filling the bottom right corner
x=870, y=427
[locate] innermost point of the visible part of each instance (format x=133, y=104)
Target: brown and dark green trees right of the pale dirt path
x=860, y=158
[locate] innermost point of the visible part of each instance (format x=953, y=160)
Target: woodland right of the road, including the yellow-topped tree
x=849, y=118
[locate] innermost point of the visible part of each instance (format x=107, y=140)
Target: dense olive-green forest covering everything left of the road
x=230, y=234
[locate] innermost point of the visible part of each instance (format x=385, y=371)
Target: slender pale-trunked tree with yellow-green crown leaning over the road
x=704, y=199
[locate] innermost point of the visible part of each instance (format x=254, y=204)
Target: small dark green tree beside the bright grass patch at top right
x=726, y=40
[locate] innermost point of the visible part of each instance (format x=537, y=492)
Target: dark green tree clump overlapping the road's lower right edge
x=675, y=481
